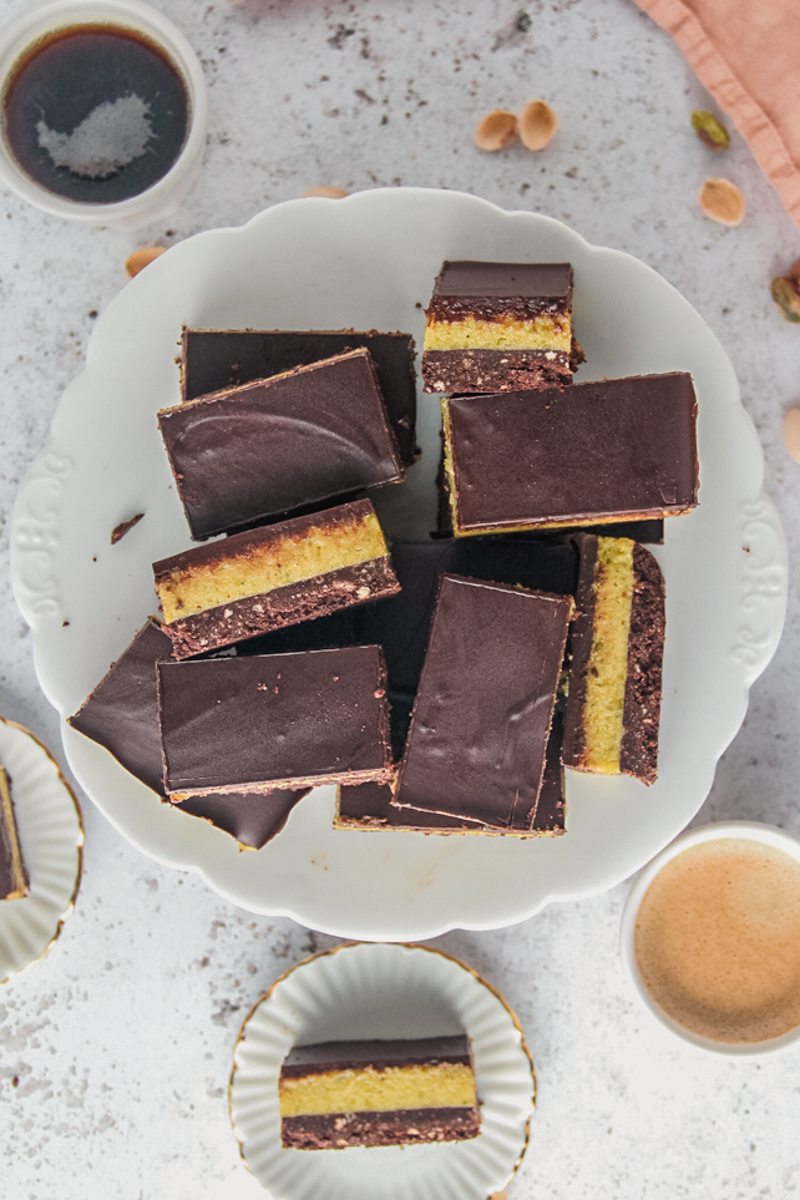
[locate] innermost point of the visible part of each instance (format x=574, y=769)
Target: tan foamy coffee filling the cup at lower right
x=718, y=940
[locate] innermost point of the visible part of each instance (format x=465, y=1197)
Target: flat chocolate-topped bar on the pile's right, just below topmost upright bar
x=606, y=452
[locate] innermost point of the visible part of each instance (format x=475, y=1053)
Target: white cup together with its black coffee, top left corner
x=103, y=111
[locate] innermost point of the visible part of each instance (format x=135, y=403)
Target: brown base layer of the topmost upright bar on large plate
x=495, y=371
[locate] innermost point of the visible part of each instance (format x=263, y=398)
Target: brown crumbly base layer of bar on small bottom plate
x=405, y=1127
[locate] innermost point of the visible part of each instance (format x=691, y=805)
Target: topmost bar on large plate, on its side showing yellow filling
x=500, y=327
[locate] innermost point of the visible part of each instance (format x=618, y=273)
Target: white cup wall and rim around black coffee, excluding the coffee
x=134, y=15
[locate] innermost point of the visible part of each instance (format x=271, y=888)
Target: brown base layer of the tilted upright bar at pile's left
x=308, y=601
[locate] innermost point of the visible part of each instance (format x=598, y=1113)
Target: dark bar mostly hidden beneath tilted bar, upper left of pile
x=213, y=359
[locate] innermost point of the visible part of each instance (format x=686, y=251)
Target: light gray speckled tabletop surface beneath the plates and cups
x=115, y=1053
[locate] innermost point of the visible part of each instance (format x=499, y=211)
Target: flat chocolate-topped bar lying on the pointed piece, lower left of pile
x=274, y=721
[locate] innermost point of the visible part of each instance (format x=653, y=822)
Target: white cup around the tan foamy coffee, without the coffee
x=744, y=831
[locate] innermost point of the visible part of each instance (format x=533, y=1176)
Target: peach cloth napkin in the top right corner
x=748, y=55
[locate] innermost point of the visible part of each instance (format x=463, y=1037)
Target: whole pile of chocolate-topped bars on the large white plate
x=442, y=686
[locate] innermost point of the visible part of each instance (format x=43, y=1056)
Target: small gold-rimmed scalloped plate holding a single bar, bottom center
x=383, y=992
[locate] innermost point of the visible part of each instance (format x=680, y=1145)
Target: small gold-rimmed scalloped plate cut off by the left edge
x=51, y=837
